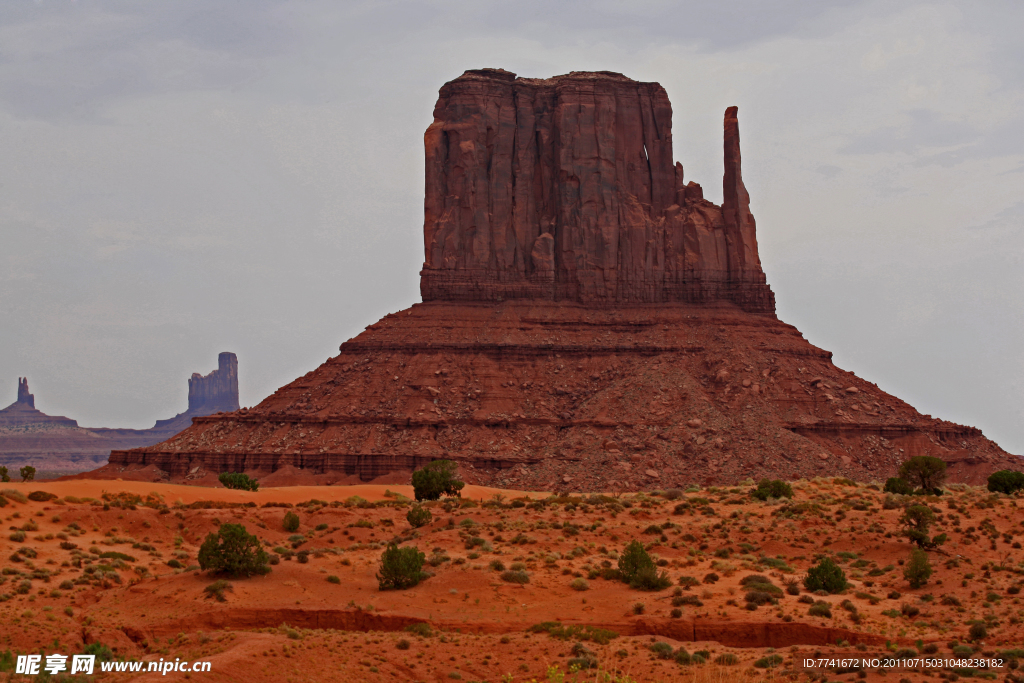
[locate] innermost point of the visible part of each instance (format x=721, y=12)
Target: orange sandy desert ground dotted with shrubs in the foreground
x=294, y=625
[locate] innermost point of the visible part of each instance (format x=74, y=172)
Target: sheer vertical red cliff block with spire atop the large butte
x=565, y=190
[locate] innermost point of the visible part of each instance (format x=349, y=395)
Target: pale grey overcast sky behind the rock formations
x=183, y=179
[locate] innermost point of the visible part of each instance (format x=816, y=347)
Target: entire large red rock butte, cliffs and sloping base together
x=589, y=322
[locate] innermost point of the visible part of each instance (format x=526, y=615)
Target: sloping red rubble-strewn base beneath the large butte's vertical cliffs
x=544, y=396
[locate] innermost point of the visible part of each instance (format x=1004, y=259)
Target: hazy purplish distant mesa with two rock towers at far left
x=29, y=437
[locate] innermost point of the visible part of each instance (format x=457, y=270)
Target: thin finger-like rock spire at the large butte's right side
x=741, y=231
